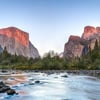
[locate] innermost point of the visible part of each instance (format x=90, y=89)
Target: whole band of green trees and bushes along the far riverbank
x=51, y=61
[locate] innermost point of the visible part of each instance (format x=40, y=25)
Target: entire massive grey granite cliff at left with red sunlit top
x=17, y=42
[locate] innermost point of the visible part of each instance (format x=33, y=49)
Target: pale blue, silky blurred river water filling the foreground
x=41, y=86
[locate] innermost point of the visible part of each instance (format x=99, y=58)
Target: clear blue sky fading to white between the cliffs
x=50, y=22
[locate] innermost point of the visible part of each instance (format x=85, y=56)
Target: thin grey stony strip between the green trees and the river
x=95, y=73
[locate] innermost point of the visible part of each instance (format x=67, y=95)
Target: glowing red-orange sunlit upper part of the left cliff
x=17, y=34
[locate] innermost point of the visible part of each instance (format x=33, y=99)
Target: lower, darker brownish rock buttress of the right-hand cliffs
x=74, y=47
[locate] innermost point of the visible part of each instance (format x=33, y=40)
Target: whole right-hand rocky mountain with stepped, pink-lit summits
x=78, y=46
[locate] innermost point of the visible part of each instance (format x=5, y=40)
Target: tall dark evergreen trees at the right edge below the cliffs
x=92, y=59
